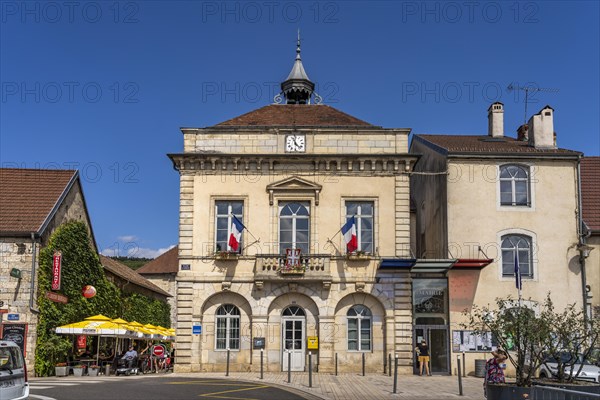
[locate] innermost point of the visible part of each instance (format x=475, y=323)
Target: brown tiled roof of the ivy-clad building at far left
x=28, y=197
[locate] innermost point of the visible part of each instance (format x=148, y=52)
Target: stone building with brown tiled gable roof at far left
x=33, y=204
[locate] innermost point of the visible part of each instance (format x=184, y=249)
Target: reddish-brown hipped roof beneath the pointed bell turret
x=295, y=115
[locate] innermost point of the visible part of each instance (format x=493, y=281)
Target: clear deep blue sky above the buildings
x=105, y=86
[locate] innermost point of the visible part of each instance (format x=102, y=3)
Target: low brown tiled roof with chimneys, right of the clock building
x=484, y=144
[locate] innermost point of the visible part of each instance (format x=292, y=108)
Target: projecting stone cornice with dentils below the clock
x=350, y=163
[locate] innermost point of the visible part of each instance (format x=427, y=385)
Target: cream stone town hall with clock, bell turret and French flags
x=283, y=181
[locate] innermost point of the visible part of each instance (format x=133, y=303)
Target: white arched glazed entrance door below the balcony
x=293, y=341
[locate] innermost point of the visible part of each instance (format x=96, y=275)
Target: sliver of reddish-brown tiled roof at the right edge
x=590, y=192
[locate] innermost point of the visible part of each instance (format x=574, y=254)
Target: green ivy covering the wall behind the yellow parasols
x=81, y=266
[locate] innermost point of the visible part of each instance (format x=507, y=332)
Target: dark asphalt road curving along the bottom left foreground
x=153, y=387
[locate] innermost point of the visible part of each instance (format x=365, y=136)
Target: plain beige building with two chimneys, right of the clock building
x=487, y=202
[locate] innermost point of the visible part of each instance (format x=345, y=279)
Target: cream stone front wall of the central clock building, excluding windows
x=250, y=165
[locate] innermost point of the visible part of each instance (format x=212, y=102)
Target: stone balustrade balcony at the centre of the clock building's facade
x=312, y=267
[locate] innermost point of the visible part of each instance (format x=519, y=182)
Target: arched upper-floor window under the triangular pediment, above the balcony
x=294, y=226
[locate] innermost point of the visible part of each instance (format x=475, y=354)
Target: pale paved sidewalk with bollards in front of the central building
x=357, y=387
